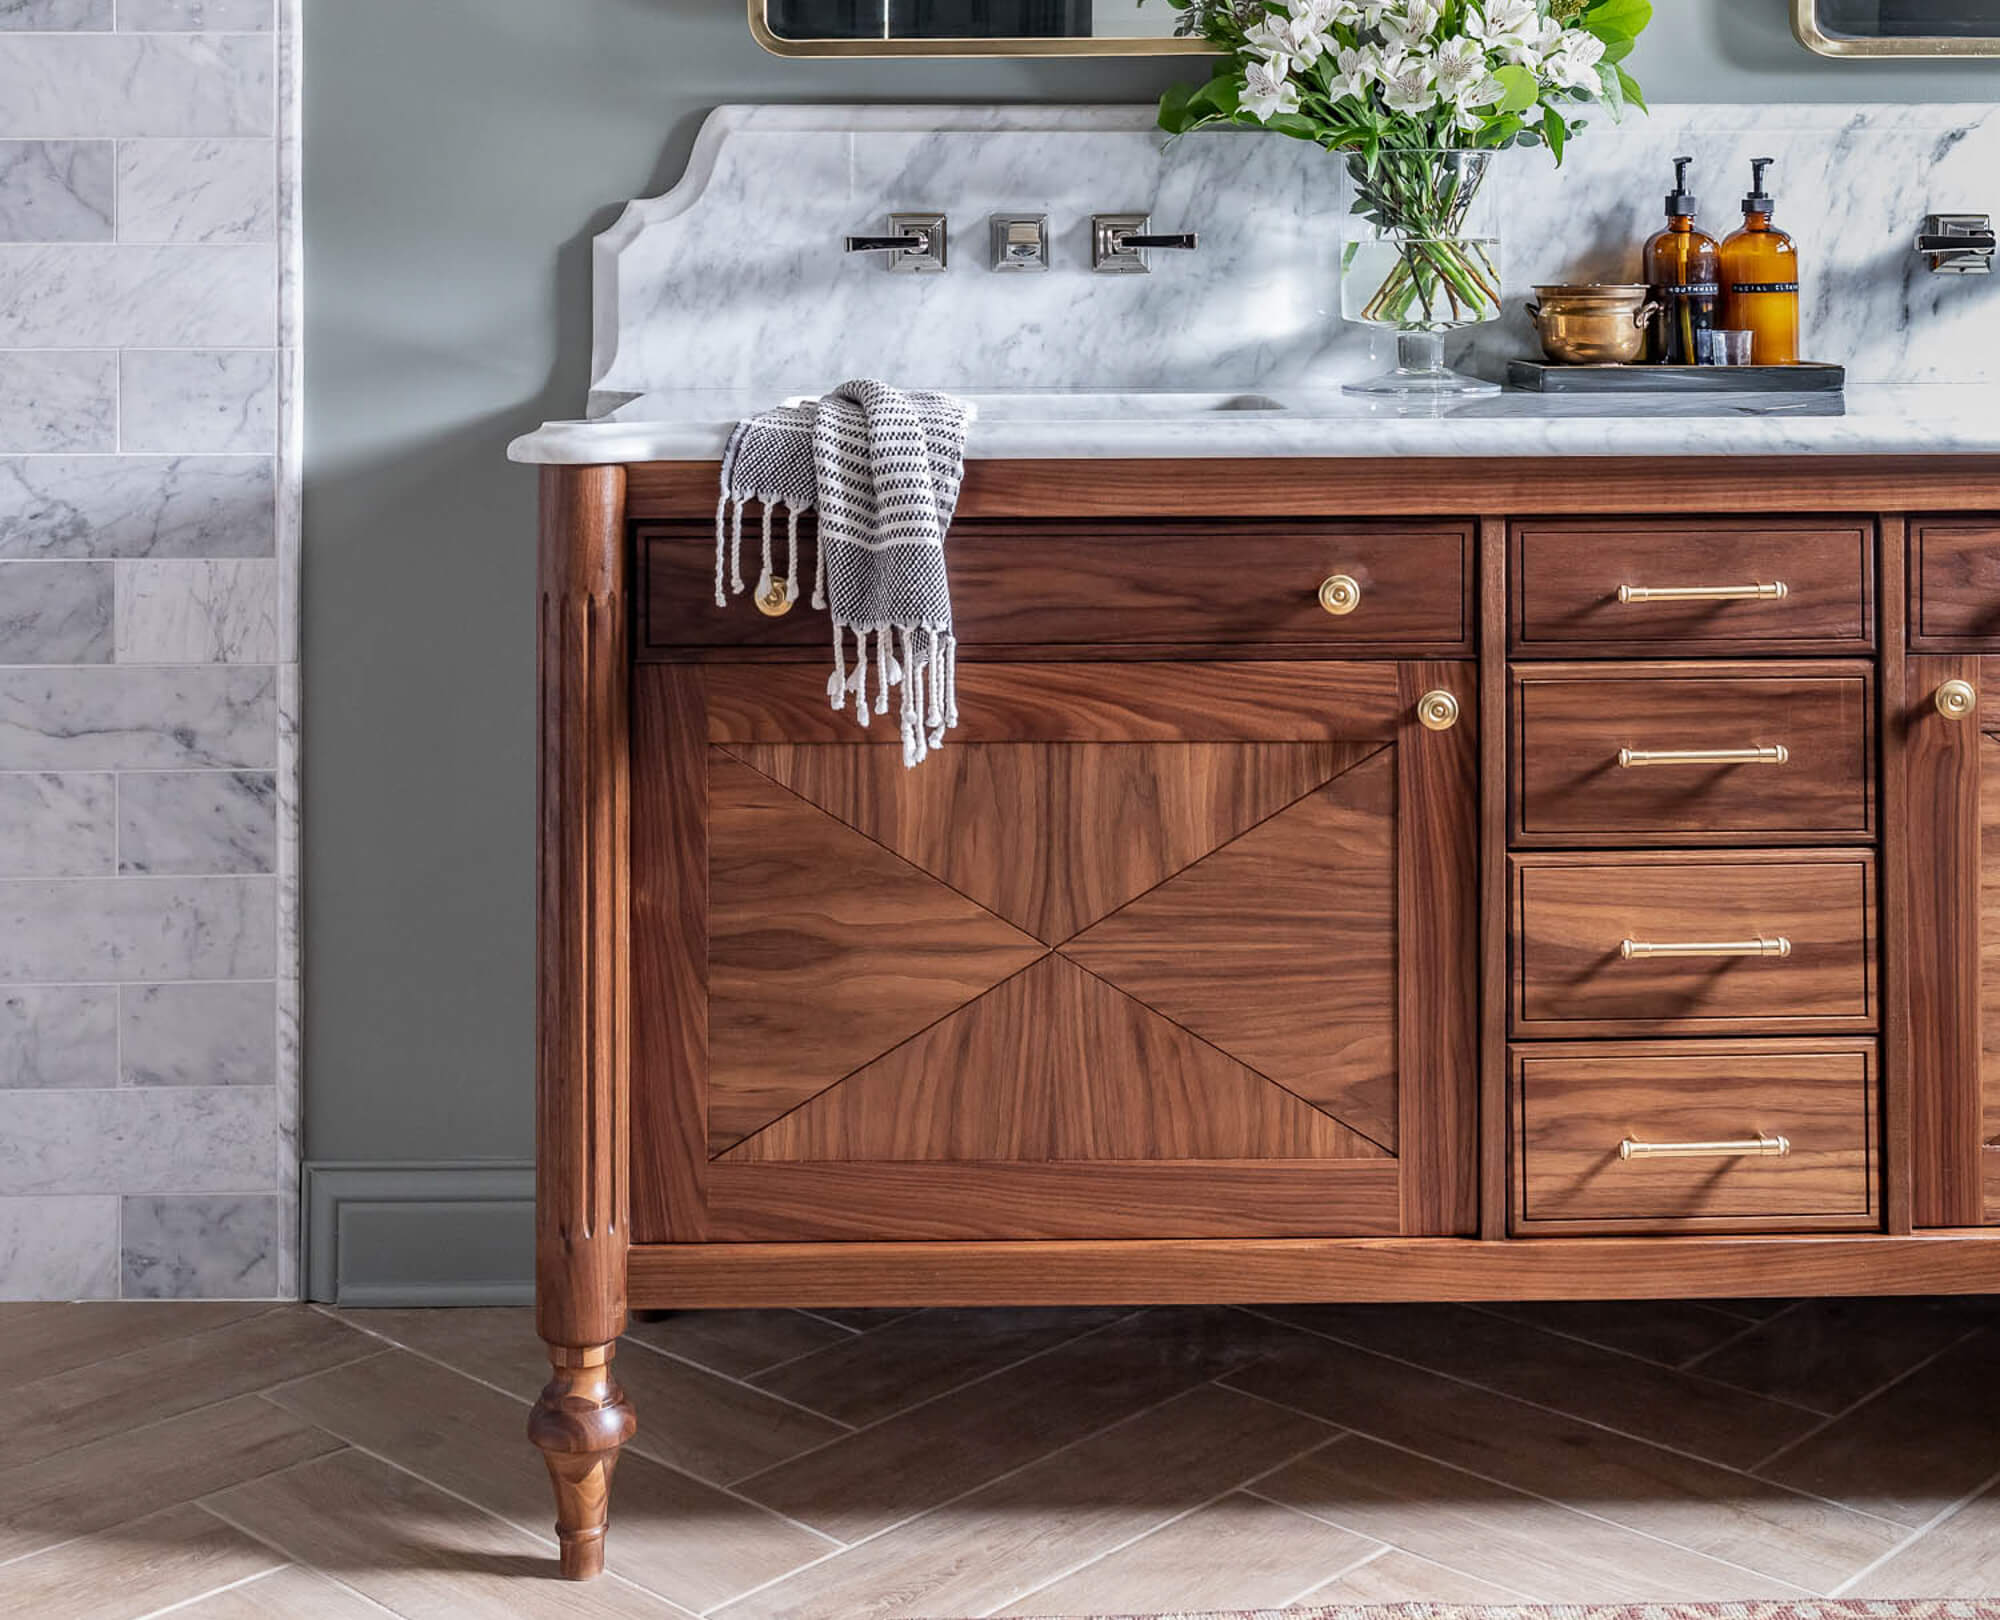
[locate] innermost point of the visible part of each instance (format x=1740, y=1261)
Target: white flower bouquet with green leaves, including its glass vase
x=1419, y=95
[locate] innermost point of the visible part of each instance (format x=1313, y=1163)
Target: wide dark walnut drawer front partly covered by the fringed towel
x=1121, y=585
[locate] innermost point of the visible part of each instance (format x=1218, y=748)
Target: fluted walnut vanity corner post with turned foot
x=583, y=997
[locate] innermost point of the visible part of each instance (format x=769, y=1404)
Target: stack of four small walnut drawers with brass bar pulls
x=1693, y=877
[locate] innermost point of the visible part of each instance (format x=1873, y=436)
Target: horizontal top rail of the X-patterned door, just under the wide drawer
x=1083, y=703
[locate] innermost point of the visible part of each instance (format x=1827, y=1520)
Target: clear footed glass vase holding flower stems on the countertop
x=1421, y=259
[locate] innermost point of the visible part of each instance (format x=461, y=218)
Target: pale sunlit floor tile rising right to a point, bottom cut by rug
x=1237, y=1553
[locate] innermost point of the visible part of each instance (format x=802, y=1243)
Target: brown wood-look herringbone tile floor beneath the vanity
x=235, y=1463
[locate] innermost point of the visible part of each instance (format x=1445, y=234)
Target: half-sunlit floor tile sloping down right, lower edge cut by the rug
x=1519, y=1541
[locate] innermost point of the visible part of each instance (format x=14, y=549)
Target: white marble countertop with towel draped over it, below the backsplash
x=1921, y=419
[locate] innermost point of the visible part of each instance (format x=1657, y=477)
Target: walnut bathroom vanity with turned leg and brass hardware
x=1353, y=881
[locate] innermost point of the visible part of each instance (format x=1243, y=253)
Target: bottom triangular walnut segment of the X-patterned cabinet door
x=1053, y=1065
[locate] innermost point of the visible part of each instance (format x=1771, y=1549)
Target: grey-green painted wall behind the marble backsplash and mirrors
x=459, y=159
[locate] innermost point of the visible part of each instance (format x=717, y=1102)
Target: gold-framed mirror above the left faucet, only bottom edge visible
x=969, y=29
